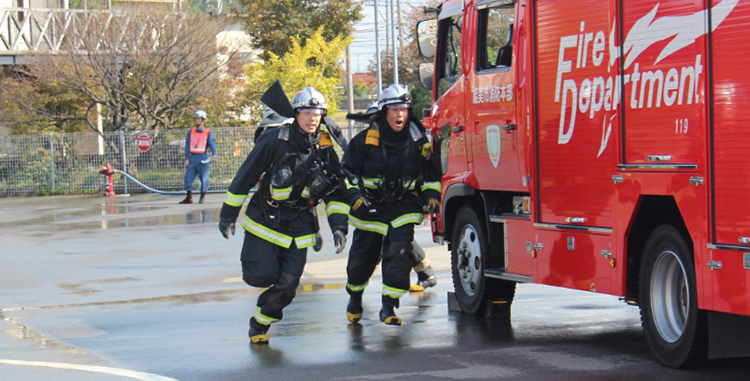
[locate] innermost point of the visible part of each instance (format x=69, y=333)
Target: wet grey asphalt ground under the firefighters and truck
x=141, y=288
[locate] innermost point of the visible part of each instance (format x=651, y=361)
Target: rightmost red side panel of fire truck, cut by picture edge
x=730, y=181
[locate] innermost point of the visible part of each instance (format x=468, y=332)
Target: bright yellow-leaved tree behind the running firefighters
x=316, y=64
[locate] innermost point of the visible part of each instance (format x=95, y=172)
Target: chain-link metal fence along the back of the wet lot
x=69, y=163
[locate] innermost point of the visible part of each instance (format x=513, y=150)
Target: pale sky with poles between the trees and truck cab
x=363, y=46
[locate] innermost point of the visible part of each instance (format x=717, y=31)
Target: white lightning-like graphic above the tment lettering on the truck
x=685, y=30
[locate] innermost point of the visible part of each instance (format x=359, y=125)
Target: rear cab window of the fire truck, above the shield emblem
x=495, y=38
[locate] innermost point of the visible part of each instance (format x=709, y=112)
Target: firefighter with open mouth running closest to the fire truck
x=393, y=182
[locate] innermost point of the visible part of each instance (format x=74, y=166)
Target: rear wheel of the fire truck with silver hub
x=675, y=329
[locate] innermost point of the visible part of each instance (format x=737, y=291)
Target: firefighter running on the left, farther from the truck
x=297, y=167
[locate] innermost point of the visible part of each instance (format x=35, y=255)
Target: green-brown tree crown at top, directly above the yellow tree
x=273, y=24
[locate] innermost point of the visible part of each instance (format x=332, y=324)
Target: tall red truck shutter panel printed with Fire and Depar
x=577, y=112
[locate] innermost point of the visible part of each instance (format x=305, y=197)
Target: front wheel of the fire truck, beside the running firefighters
x=469, y=252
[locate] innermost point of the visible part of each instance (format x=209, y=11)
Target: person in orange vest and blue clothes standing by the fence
x=197, y=162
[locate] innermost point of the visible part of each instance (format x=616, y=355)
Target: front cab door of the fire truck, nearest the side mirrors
x=449, y=92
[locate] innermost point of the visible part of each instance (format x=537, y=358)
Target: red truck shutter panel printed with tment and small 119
x=663, y=81
